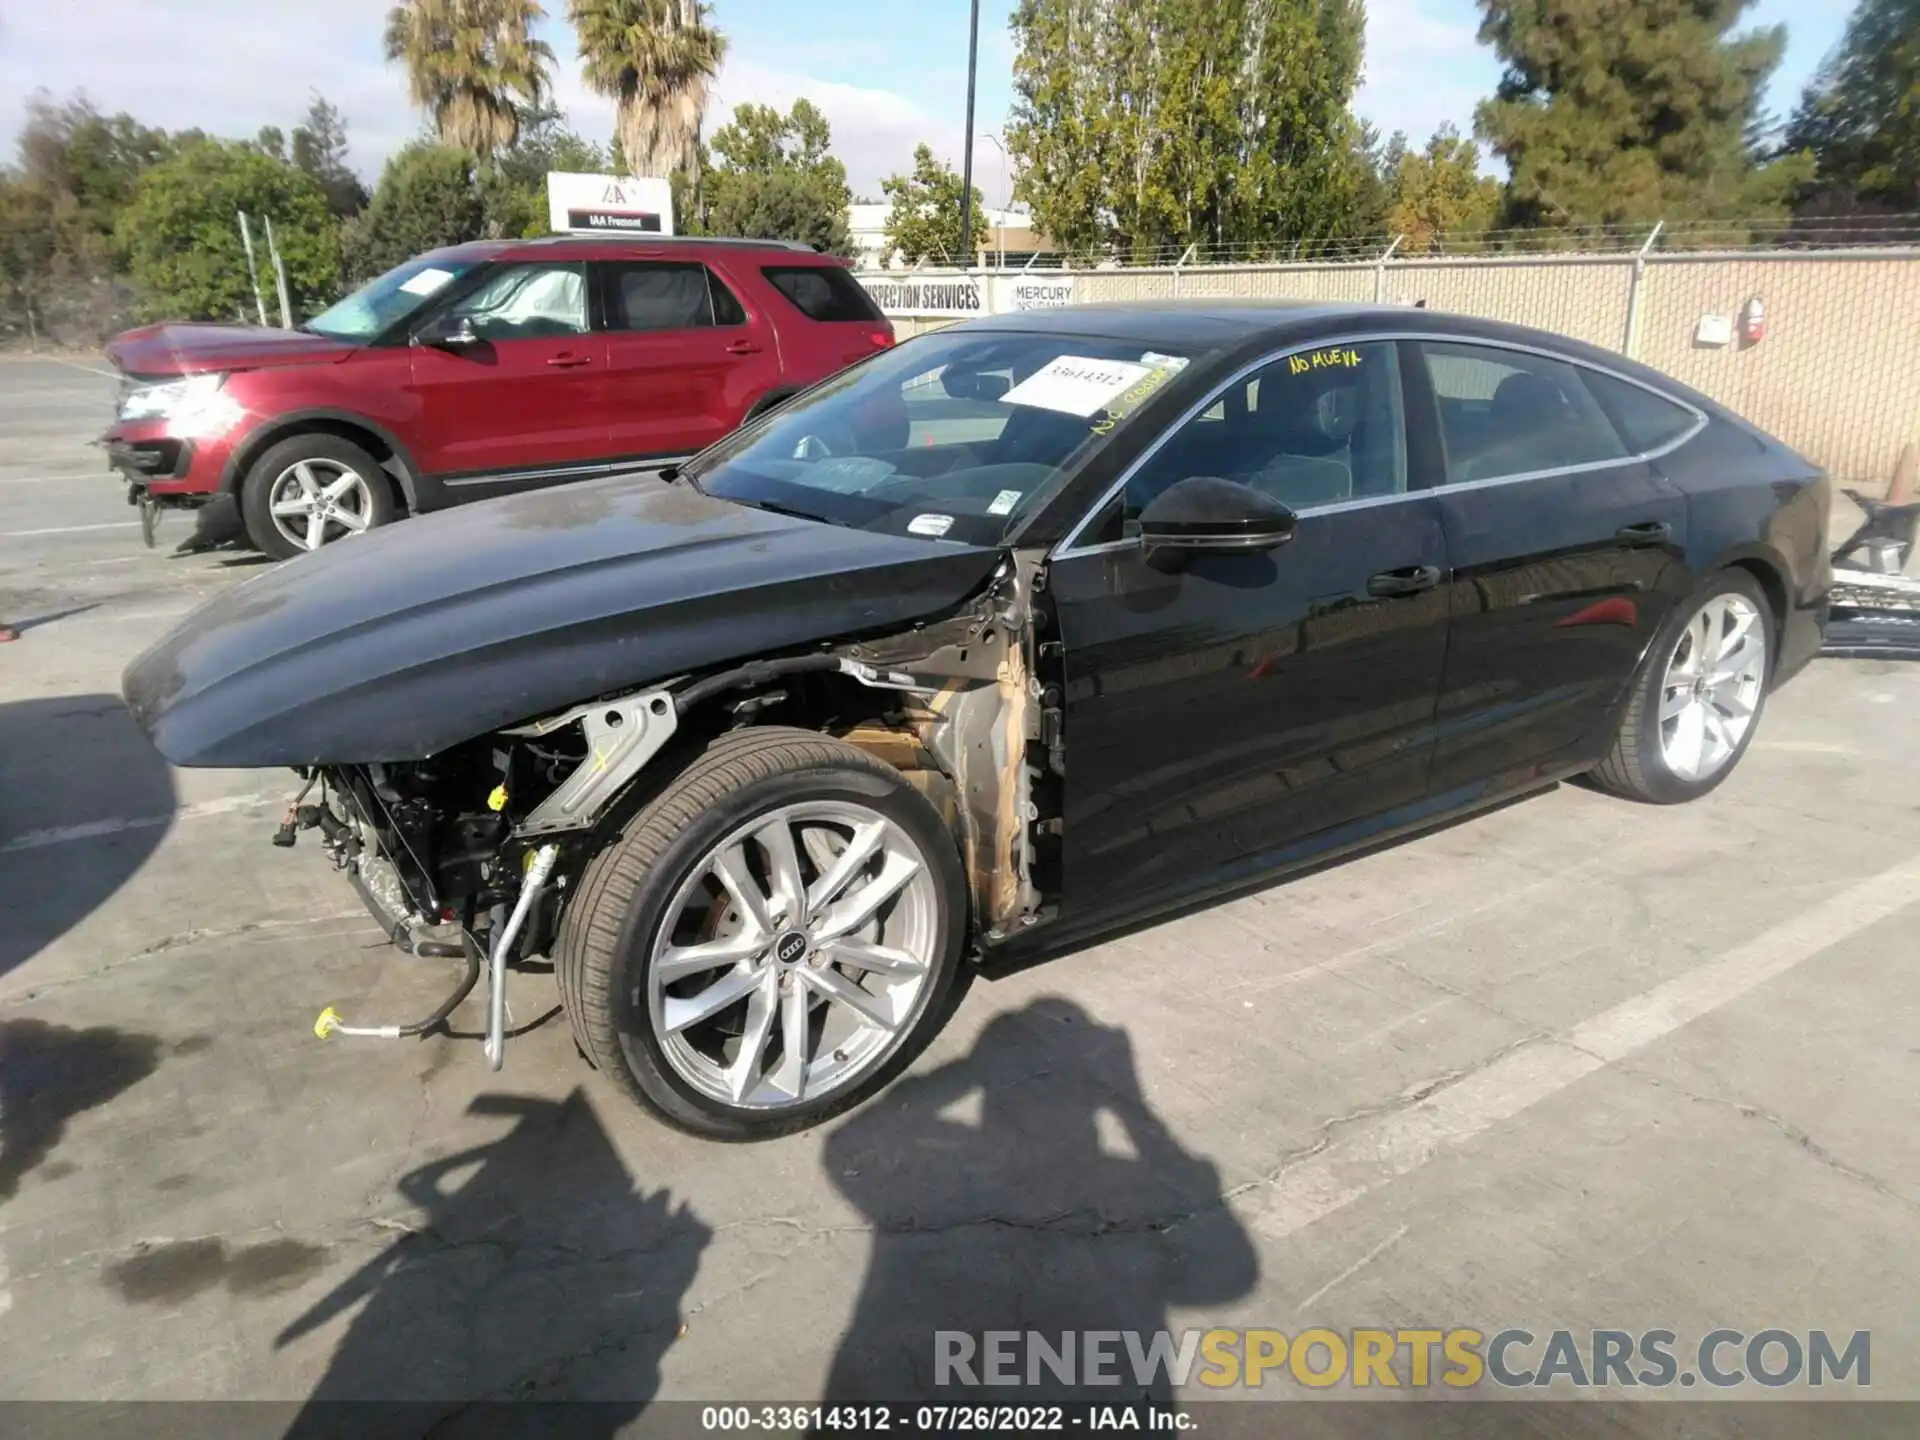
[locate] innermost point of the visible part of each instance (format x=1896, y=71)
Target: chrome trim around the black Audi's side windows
x=1070, y=548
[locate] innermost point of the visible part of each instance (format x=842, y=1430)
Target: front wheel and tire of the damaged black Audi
x=771, y=940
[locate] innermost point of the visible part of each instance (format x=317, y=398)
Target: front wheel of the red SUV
x=312, y=492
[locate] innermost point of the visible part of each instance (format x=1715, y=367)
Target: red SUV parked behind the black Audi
x=477, y=372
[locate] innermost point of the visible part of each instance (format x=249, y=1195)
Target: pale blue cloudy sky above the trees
x=886, y=80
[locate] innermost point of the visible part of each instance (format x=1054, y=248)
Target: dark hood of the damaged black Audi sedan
x=400, y=644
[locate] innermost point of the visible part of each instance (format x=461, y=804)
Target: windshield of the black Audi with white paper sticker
x=949, y=437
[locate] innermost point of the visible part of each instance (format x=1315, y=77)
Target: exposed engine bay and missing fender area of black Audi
x=471, y=853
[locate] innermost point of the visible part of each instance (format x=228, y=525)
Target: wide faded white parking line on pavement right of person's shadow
x=1358, y=1164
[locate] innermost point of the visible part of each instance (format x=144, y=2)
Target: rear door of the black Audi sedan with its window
x=1568, y=550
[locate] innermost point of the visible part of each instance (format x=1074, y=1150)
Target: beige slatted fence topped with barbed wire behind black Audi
x=1836, y=373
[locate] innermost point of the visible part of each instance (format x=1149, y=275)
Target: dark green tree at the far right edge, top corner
x=1861, y=116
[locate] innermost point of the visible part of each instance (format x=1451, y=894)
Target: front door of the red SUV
x=521, y=402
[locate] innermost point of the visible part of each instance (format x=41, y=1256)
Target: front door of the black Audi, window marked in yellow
x=1251, y=711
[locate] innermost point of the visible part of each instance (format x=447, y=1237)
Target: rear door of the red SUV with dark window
x=686, y=360
